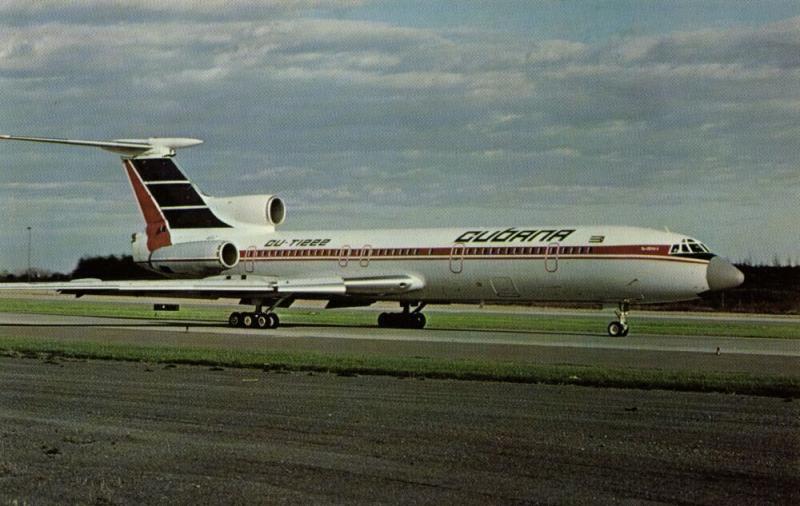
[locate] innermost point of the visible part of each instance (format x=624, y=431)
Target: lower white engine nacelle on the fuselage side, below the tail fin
x=201, y=258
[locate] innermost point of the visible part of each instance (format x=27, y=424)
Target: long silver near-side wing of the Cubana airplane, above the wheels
x=238, y=286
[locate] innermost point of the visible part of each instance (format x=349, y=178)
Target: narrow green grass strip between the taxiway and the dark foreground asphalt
x=416, y=367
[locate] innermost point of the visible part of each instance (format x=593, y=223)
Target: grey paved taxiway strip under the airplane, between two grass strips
x=753, y=355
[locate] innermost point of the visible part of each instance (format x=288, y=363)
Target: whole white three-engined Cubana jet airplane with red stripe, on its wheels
x=230, y=247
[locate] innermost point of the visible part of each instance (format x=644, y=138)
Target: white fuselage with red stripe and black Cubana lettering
x=562, y=263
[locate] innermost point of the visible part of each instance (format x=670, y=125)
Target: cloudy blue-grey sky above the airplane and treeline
x=373, y=114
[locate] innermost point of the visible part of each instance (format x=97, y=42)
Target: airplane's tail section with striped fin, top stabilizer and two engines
x=186, y=231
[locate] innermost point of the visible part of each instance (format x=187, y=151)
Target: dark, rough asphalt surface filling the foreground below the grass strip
x=94, y=432
